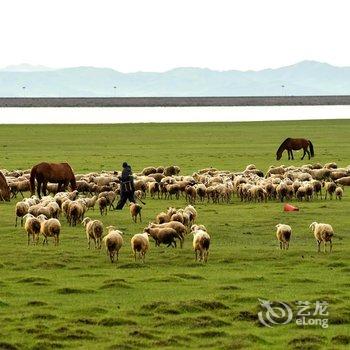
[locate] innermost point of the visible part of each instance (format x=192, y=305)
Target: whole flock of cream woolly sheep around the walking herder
x=171, y=227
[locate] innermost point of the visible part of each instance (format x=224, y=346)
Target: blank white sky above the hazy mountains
x=158, y=35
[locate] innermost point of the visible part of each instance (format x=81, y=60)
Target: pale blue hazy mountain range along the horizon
x=302, y=79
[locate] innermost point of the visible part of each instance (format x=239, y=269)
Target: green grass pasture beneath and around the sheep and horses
x=72, y=297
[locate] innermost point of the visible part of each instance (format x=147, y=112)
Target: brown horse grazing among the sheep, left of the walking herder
x=60, y=173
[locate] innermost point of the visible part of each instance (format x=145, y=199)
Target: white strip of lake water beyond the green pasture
x=168, y=114
